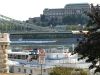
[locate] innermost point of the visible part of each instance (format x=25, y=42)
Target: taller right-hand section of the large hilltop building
x=76, y=8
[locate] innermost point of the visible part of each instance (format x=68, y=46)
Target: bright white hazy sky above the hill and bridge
x=24, y=9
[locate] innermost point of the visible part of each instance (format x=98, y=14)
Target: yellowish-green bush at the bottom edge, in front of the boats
x=67, y=71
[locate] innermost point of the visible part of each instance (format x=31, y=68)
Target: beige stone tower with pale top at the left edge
x=4, y=43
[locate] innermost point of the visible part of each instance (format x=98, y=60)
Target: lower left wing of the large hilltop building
x=57, y=14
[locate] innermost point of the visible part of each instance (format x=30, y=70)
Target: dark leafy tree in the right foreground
x=89, y=46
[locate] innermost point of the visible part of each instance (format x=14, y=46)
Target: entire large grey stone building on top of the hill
x=69, y=9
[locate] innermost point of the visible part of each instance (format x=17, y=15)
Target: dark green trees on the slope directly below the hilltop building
x=68, y=19
